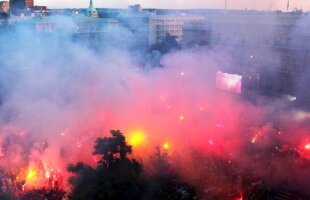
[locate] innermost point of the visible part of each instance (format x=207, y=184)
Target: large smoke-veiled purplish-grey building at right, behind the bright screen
x=269, y=49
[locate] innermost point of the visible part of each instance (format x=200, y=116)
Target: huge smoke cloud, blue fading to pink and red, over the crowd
x=58, y=96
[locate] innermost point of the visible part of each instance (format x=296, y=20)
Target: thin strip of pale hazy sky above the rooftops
x=234, y=4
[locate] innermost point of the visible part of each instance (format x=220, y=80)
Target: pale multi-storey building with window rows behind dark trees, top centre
x=163, y=25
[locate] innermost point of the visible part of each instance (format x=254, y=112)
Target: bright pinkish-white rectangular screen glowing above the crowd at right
x=229, y=82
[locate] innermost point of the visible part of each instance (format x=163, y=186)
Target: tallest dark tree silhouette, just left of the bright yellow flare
x=116, y=175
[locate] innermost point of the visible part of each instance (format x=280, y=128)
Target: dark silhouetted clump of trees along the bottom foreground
x=119, y=176
